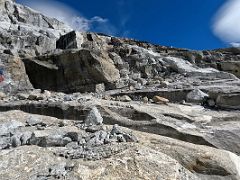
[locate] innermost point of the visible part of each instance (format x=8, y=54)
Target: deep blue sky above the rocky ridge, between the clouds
x=178, y=23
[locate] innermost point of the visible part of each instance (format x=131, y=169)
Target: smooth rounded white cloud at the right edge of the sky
x=226, y=23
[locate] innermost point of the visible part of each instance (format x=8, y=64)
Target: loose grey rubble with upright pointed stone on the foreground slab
x=92, y=142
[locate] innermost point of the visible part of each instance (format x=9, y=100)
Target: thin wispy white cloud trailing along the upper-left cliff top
x=70, y=16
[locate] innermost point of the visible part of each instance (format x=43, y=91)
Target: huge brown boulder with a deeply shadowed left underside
x=72, y=71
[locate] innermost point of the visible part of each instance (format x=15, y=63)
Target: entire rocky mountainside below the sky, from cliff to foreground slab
x=82, y=105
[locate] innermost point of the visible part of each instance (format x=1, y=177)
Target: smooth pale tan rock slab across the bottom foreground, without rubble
x=153, y=157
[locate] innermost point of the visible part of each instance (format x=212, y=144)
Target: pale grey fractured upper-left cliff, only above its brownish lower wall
x=27, y=28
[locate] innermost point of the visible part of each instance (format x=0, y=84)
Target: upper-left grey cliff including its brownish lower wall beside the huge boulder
x=24, y=32
